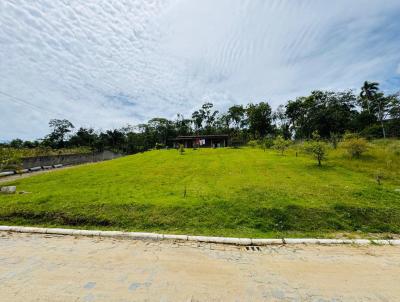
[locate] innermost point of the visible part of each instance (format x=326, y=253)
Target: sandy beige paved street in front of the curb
x=64, y=268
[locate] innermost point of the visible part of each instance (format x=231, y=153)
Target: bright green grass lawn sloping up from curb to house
x=230, y=192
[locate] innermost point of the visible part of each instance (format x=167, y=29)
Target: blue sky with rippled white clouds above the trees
x=106, y=64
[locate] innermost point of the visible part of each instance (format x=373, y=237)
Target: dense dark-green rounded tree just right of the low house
x=259, y=117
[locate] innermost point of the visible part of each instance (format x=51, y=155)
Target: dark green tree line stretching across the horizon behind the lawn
x=371, y=113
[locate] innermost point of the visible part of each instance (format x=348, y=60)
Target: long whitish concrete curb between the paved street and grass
x=204, y=239
